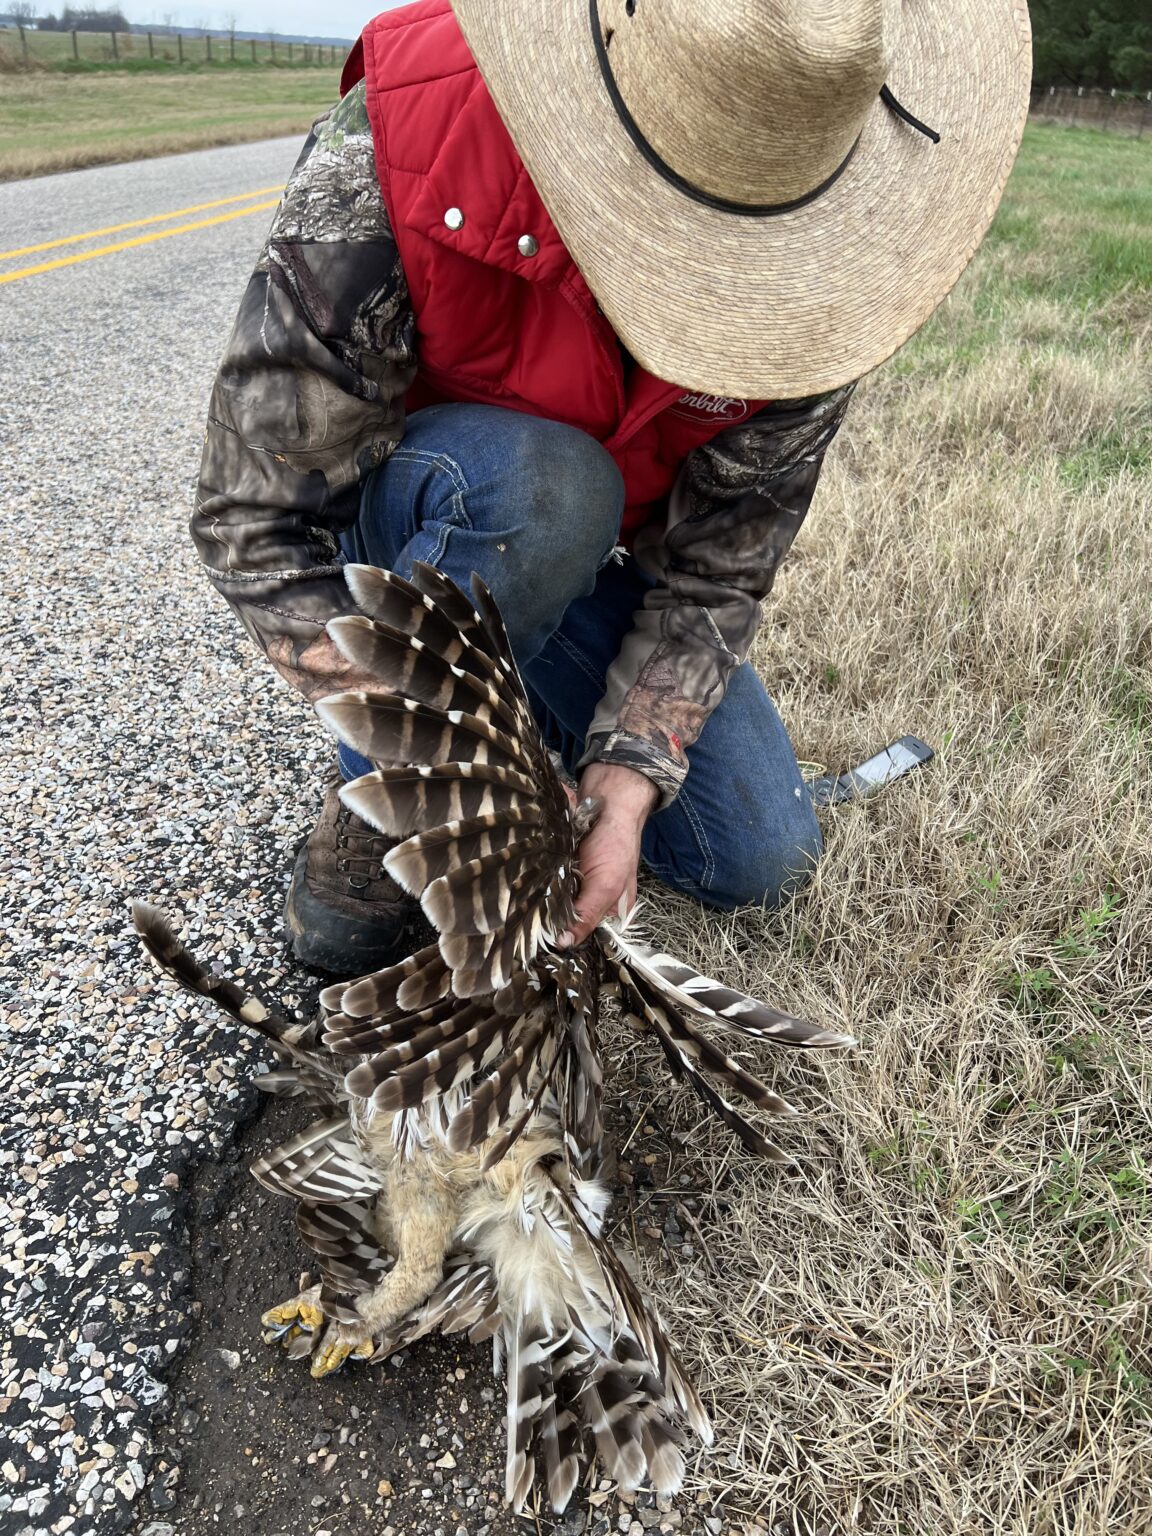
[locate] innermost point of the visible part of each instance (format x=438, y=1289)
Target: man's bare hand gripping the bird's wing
x=611, y=855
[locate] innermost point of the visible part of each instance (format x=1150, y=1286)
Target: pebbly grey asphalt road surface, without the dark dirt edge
x=148, y=752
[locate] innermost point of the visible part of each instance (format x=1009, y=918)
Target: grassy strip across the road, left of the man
x=53, y=122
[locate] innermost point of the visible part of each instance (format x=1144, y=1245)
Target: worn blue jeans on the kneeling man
x=535, y=509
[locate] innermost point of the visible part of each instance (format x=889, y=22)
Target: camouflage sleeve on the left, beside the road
x=310, y=399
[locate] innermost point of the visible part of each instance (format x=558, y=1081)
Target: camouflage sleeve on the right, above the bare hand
x=732, y=518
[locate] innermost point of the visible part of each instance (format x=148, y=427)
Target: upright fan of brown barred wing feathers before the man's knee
x=463, y=776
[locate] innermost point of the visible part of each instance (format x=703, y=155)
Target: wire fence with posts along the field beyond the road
x=22, y=48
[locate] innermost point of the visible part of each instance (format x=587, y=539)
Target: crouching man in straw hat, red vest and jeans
x=574, y=297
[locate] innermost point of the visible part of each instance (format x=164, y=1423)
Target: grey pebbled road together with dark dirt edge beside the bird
x=148, y=752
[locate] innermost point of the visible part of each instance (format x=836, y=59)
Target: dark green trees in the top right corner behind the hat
x=1105, y=44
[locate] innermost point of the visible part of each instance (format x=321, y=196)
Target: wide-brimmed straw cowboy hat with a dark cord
x=767, y=197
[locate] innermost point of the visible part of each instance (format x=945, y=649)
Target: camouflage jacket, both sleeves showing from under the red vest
x=310, y=400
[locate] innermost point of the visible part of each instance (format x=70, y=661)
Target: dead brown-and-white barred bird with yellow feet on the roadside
x=457, y=1180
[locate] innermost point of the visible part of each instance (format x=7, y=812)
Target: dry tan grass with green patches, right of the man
x=942, y=1325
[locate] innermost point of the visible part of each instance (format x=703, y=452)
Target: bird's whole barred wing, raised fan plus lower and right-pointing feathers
x=489, y=849
